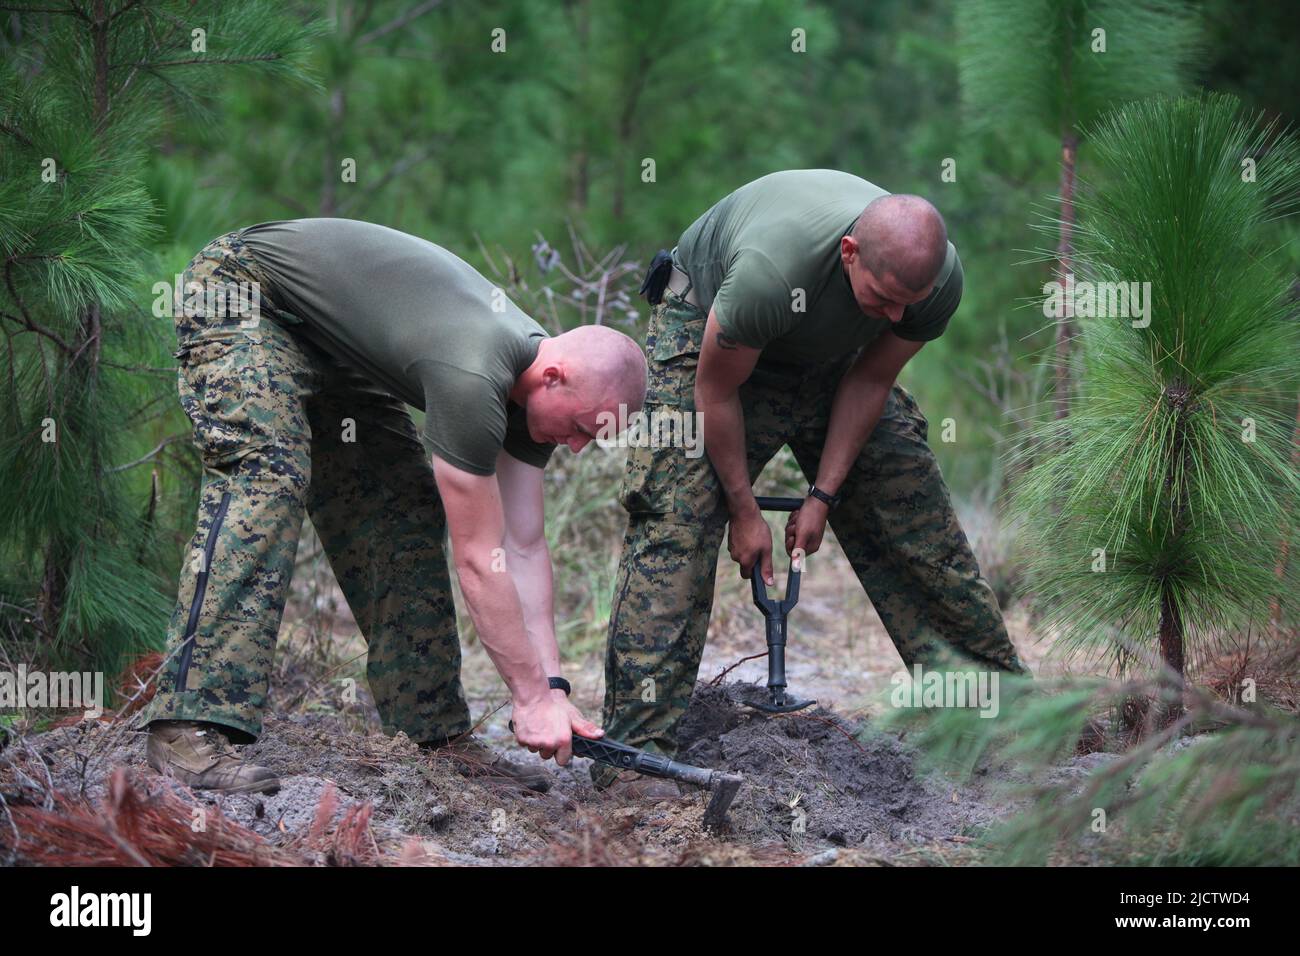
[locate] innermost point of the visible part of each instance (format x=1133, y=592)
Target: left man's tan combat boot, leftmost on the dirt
x=201, y=756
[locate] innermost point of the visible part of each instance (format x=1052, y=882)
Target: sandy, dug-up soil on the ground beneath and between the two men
x=821, y=786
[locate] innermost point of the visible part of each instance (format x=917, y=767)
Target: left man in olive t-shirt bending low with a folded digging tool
x=298, y=403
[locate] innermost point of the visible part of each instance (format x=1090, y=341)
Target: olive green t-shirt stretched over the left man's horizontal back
x=415, y=319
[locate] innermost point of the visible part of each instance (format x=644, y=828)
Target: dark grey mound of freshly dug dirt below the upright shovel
x=817, y=778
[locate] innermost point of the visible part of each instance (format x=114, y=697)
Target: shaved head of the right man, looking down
x=905, y=237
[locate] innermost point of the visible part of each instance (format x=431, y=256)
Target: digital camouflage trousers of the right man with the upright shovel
x=895, y=524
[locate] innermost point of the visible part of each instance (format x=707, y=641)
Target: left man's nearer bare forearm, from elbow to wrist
x=495, y=607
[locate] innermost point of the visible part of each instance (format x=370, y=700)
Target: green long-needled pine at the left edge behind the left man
x=89, y=529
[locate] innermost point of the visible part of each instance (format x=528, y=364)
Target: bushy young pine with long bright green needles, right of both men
x=1159, y=503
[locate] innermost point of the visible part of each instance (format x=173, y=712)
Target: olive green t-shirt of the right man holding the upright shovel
x=773, y=248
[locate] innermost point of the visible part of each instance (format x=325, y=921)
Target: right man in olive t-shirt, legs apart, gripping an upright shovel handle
x=791, y=308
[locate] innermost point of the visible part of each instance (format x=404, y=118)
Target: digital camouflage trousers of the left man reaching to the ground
x=285, y=431
